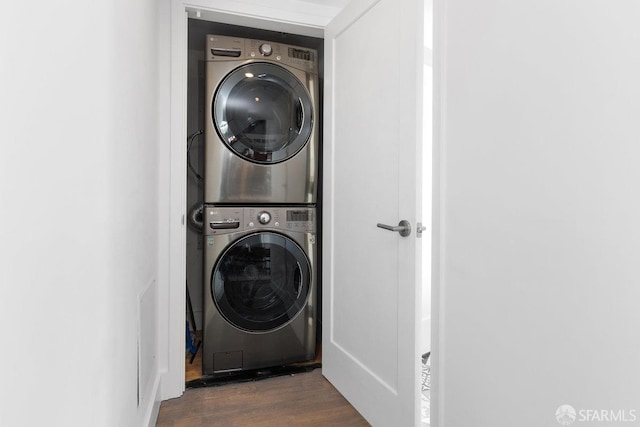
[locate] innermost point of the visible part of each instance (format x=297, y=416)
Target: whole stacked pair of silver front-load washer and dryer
x=261, y=177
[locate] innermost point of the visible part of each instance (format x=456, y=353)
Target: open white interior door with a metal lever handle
x=372, y=139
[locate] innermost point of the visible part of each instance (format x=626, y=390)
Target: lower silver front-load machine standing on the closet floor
x=260, y=285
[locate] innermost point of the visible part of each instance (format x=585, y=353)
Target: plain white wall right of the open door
x=539, y=239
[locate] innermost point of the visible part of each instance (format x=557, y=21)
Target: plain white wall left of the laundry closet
x=78, y=212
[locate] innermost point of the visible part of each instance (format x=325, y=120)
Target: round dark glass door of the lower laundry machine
x=261, y=282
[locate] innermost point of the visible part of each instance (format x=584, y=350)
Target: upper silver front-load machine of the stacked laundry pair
x=261, y=122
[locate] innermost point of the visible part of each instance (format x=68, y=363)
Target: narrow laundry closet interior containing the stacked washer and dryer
x=253, y=200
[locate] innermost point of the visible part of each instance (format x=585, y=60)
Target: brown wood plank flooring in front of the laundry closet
x=306, y=399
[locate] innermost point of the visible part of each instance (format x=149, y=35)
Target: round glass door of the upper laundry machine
x=263, y=113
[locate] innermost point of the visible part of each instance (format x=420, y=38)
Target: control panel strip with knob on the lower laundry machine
x=225, y=220
